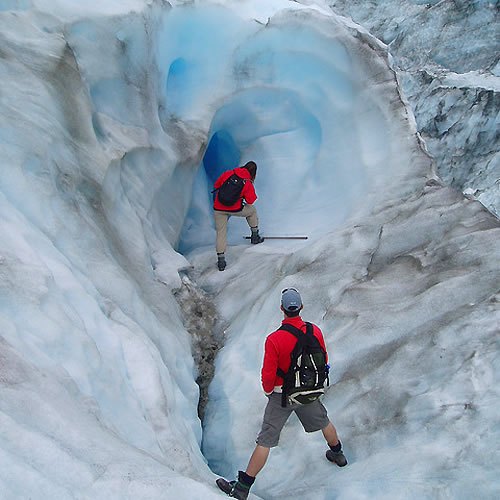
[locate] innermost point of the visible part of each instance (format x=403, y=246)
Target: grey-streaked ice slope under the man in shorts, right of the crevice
x=410, y=313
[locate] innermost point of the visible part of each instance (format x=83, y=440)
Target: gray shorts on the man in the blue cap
x=313, y=417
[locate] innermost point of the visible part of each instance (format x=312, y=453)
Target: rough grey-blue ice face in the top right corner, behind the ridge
x=447, y=55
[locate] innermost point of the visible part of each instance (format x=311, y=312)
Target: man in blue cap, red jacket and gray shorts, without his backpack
x=313, y=416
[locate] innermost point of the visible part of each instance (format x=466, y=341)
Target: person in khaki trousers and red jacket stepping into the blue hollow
x=246, y=176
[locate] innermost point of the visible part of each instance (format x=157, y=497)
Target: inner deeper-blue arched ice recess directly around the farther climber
x=273, y=128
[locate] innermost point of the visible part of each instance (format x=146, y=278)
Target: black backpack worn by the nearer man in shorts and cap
x=304, y=382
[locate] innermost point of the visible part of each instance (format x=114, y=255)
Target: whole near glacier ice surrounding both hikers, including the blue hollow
x=106, y=115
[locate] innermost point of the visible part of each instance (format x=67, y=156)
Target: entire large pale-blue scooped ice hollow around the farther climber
x=300, y=98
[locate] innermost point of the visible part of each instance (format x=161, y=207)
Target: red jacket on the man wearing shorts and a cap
x=279, y=346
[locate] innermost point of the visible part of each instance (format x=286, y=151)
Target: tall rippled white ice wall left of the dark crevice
x=97, y=390
